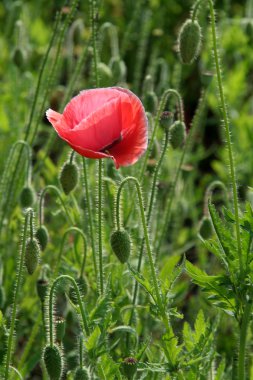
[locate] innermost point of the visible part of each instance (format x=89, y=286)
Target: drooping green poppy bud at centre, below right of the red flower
x=121, y=245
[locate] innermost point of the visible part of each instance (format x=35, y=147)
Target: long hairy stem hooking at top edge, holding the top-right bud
x=226, y=124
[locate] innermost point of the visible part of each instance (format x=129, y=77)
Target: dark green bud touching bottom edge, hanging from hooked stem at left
x=53, y=362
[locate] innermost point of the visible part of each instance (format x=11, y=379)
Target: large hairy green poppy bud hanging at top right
x=189, y=41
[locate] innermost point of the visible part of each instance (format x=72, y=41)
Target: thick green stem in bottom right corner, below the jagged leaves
x=243, y=339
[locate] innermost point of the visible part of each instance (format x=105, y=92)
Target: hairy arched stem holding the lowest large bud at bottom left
x=51, y=306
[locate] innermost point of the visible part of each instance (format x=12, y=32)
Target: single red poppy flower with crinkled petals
x=104, y=122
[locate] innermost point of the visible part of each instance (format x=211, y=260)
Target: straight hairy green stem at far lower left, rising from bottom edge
x=28, y=216
